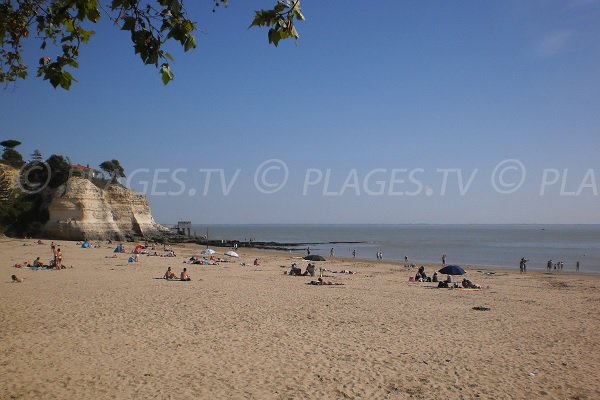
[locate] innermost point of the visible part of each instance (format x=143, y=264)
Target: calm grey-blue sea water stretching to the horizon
x=468, y=245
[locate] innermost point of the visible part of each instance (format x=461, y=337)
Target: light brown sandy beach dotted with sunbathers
x=105, y=329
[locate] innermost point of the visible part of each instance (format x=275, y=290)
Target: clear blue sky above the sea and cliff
x=376, y=114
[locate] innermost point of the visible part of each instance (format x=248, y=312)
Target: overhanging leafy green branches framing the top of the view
x=62, y=26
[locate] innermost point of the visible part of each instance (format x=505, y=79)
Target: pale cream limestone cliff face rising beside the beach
x=80, y=210
